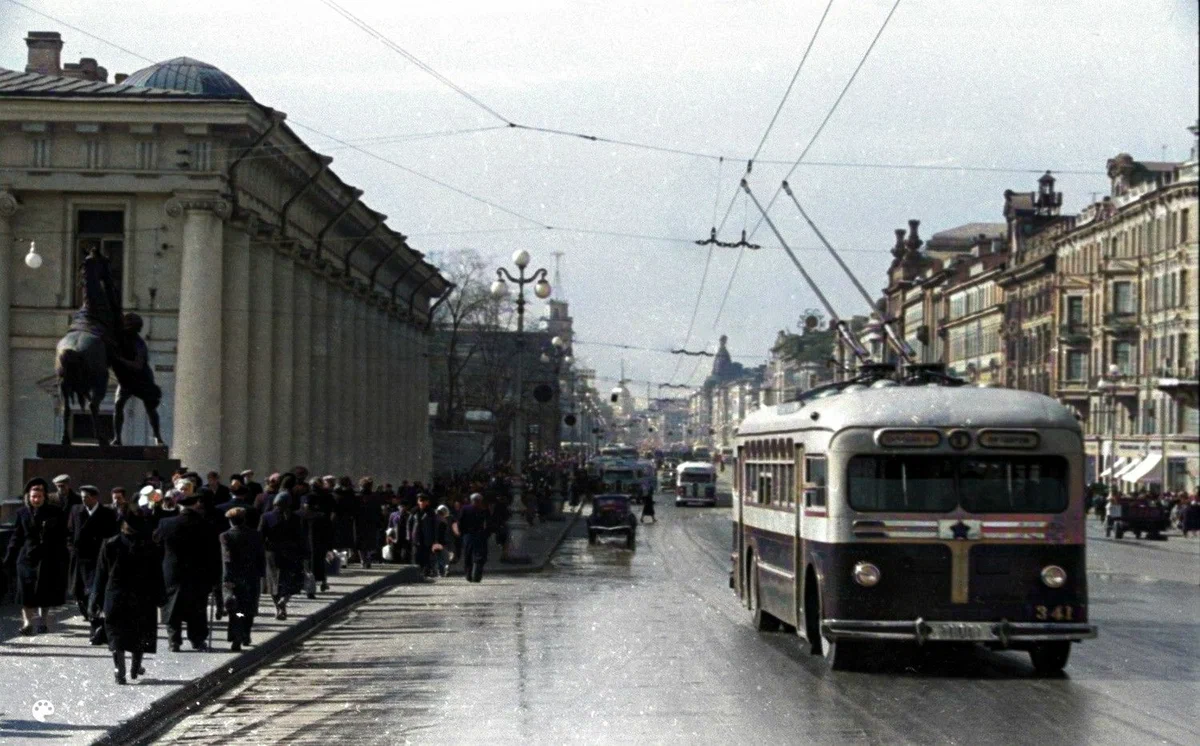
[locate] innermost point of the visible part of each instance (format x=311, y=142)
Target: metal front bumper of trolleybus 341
x=1004, y=634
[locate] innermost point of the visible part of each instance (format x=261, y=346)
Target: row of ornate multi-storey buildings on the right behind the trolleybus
x=1099, y=310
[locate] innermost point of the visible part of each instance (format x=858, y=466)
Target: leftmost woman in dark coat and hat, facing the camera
x=38, y=552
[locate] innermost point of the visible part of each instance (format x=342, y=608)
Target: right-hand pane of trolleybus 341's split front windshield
x=1013, y=485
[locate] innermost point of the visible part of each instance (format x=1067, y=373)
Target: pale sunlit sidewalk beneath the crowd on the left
x=77, y=678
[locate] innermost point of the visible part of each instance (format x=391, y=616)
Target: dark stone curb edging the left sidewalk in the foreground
x=170, y=709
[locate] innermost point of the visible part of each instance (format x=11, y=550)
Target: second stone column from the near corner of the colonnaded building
x=236, y=371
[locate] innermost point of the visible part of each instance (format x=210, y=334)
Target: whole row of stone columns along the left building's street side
x=281, y=364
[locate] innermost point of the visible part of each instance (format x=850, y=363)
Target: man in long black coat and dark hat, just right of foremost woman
x=191, y=568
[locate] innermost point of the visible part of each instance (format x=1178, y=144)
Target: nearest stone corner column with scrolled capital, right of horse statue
x=200, y=357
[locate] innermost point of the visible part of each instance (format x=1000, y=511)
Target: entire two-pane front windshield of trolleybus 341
x=940, y=484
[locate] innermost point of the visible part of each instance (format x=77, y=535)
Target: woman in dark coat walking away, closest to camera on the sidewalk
x=128, y=591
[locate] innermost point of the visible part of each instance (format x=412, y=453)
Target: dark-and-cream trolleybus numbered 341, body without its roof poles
x=927, y=513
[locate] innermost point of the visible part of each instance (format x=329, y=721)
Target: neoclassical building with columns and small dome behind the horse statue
x=287, y=322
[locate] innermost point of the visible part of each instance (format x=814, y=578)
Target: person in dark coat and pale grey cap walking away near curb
x=244, y=567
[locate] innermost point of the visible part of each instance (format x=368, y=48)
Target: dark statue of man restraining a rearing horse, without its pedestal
x=101, y=338
